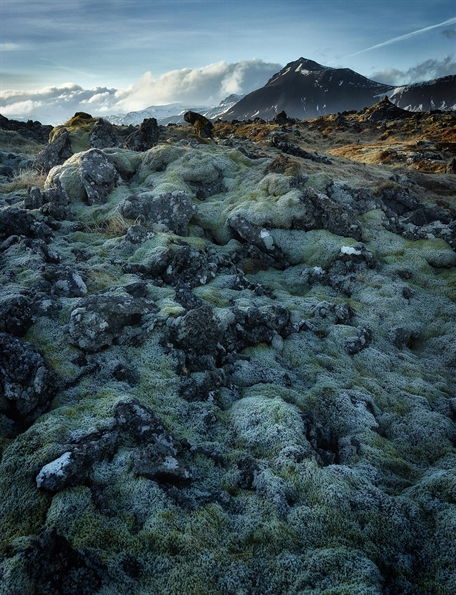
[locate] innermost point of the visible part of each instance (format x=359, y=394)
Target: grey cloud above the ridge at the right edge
x=428, y=70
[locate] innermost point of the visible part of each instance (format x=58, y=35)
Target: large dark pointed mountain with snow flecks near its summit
x=306, y=89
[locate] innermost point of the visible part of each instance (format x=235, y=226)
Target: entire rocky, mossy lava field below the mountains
x=227, y=364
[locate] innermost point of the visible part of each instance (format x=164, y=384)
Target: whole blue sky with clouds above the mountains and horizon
x=114, y=56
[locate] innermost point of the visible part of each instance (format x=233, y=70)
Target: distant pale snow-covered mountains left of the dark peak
x=172, y=112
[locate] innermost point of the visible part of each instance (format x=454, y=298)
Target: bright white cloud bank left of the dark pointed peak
x=198, y=86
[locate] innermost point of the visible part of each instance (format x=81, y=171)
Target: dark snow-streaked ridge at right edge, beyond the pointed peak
x=430, y=95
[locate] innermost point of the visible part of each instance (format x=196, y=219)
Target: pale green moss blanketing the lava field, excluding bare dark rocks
x=374, y=515
